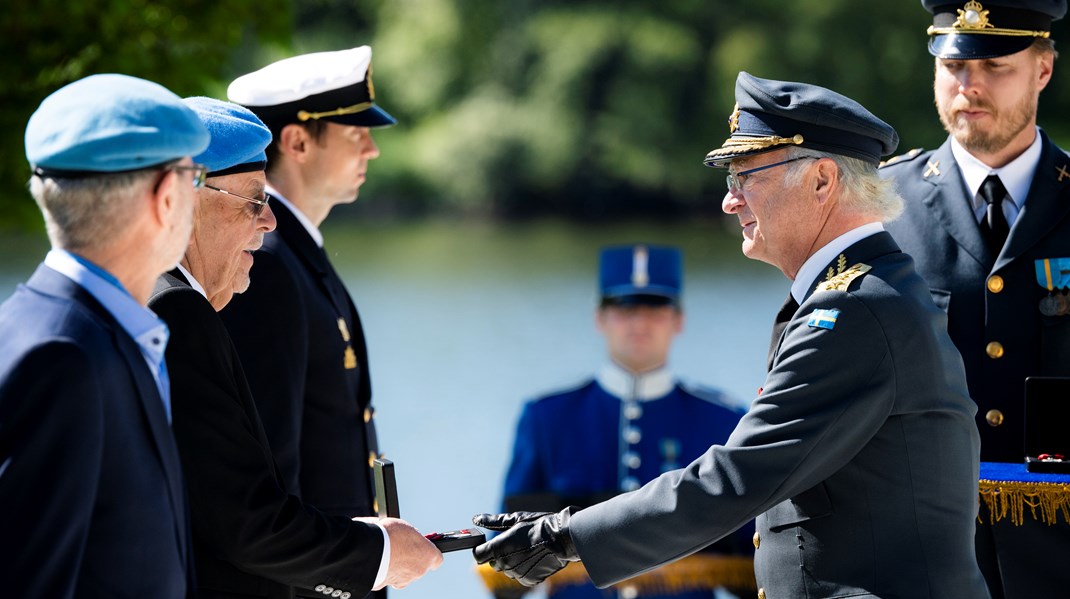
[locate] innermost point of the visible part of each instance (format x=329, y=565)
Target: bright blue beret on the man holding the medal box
x=239, y=137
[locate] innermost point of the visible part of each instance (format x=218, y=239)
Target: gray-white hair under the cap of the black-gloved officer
x=866, y=192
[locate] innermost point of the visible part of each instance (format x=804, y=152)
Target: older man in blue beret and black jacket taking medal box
x=253, y=537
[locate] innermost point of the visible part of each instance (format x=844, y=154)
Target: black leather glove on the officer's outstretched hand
x=534, y=545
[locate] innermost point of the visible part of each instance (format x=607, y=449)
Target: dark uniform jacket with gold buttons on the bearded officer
x=940, y=231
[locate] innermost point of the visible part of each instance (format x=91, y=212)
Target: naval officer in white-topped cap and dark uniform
x=297, y=329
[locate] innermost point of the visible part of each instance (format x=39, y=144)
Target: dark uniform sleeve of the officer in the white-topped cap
x=269, y=329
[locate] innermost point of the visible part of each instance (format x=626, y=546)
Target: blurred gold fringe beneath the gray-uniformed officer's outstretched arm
x=694, y=573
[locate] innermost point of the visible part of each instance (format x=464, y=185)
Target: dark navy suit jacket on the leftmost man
x=91, y=495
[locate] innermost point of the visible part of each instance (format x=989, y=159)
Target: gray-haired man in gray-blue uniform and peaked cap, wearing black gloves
x=860, y=456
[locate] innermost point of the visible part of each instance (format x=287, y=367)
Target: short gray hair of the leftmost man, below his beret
x=89, y=212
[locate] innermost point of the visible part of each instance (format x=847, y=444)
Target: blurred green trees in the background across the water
x=589, y=110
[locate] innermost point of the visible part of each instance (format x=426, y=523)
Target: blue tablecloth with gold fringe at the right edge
x=1007, y=489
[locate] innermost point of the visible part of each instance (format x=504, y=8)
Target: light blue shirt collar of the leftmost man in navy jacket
x=150, y=333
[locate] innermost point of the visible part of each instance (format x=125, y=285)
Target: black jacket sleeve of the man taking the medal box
x=237, y=503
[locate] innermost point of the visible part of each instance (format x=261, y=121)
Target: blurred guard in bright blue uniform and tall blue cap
x=634, y=421
